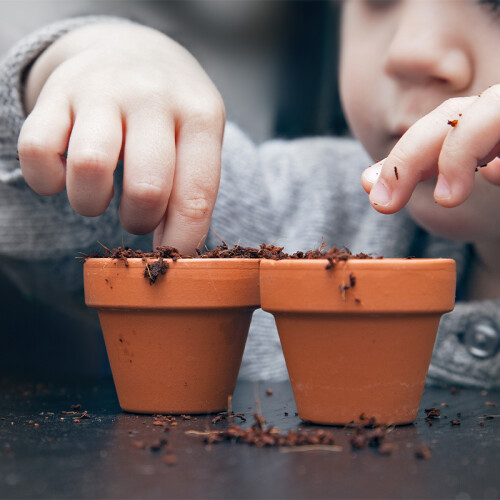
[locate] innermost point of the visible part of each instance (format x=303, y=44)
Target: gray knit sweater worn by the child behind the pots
x=292, y=193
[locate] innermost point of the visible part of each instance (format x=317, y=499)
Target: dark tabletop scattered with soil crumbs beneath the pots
x=45, y=453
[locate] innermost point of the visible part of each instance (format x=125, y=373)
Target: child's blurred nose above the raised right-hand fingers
x=425, y=49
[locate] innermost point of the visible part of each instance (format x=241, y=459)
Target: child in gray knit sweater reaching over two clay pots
x=411, y=72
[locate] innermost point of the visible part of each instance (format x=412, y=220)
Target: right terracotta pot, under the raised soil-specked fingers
x=358, y=338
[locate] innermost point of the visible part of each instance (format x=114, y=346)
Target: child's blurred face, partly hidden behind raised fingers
x=400, y=59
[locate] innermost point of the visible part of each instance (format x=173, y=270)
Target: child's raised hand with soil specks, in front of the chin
x=450, y=143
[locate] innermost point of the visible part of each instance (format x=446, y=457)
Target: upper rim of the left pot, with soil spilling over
x=186, y=284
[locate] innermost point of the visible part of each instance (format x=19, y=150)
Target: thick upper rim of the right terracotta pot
x=359, y=286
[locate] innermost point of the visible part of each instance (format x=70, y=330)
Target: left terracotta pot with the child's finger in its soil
x=174, y=346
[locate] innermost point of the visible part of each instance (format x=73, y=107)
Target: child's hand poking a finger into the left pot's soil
x=108, y=91
